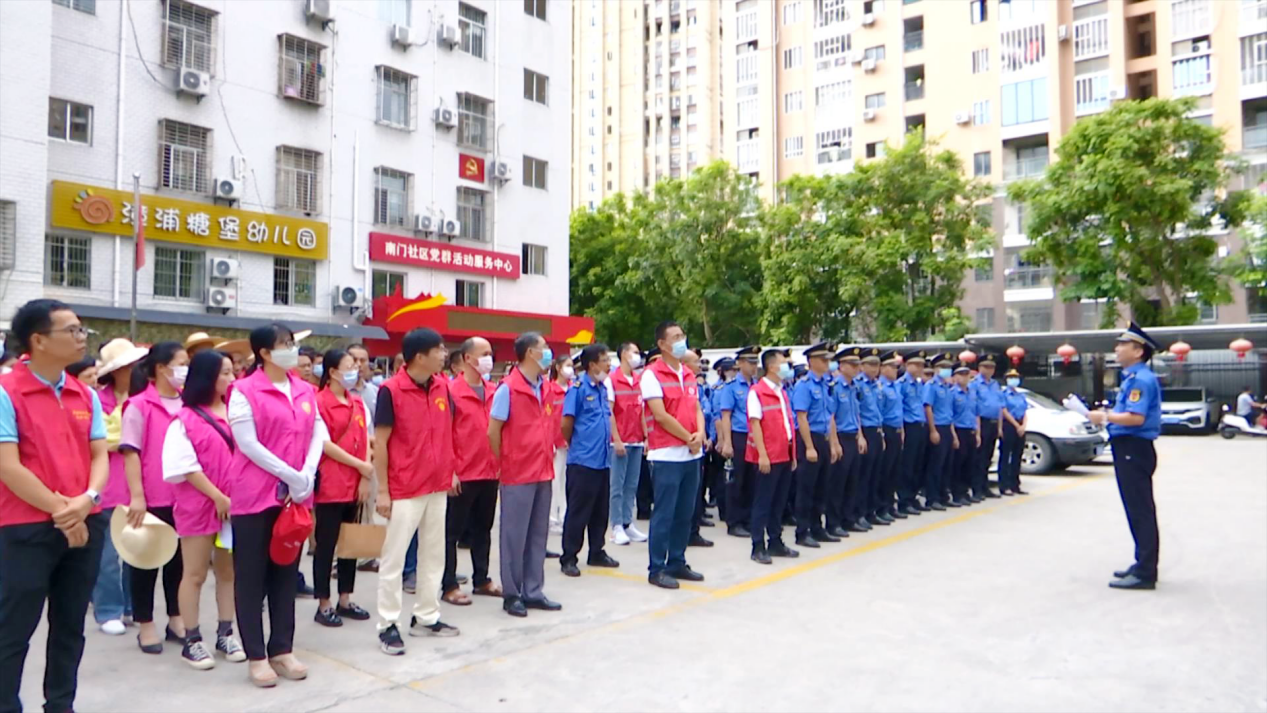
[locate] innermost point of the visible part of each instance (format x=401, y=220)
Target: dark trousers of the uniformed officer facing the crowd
x=1135, y=460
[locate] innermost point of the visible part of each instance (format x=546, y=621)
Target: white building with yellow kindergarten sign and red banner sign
x=298, y=159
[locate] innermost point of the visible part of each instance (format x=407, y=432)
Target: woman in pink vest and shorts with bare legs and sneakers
x=197, y=460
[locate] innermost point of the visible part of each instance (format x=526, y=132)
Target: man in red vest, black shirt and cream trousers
x=415, y=460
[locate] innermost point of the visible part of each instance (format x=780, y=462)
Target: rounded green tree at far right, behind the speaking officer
x=1126, y=212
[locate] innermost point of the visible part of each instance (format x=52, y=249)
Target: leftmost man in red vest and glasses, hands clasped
x=54, y=465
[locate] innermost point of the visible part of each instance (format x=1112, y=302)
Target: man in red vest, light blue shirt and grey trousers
x=521, y=438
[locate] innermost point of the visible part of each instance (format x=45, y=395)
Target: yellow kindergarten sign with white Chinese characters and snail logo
x=79, y=207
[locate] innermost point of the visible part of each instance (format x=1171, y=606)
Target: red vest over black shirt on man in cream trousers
x=421, y=446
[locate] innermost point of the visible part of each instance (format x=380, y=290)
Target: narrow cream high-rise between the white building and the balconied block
x=647, y=94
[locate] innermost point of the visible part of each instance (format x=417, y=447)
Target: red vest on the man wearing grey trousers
x=528, y=445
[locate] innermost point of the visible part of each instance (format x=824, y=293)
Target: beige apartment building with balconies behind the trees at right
x=820, y=85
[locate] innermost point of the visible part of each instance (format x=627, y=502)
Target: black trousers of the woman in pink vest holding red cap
x=255, y=579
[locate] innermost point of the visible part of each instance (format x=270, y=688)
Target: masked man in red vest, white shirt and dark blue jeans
x=676, y=439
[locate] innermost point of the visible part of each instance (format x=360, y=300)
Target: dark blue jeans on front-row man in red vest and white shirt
x=676, y=486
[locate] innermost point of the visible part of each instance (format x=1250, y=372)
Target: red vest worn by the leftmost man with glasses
x=53, y=440
